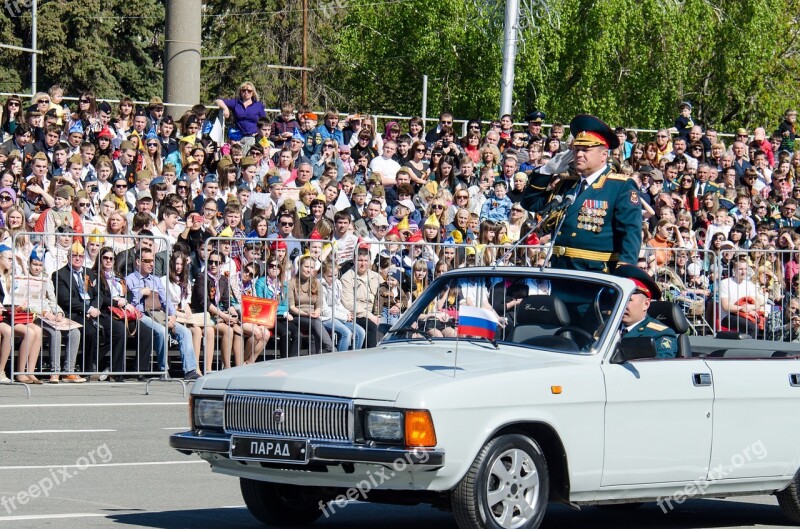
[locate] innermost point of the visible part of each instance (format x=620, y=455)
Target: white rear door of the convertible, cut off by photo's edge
x=756, y=406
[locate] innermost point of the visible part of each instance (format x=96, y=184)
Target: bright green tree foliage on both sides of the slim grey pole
x=630, y=61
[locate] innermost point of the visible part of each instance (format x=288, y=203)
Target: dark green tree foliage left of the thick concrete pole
x=113, y=47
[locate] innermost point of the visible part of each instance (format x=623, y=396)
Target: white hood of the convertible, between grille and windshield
x=383, y=372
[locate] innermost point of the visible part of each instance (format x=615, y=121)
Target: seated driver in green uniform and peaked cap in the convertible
x=636, y=322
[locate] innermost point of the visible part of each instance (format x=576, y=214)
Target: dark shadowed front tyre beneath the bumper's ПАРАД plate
x=282, y=505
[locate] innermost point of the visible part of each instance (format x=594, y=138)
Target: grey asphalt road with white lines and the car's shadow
x=101, y=452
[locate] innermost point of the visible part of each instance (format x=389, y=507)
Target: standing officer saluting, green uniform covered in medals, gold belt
x=603, y=226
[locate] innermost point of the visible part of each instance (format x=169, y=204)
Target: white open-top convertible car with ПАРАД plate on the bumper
x=558, y=408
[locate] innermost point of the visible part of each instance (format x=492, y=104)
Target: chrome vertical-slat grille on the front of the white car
x=302, y=417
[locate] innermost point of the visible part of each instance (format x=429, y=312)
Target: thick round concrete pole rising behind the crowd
x=182, y=42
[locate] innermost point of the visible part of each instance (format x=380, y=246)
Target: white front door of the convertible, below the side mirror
x=657, y=421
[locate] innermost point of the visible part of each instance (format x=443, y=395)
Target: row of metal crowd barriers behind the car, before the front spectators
x=329, y=295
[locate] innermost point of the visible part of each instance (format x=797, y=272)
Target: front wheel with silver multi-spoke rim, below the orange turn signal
x=506, y=486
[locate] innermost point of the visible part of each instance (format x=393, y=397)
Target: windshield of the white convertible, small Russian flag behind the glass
x=564, y=314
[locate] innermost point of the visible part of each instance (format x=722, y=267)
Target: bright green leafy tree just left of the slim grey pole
x=384, y=49
